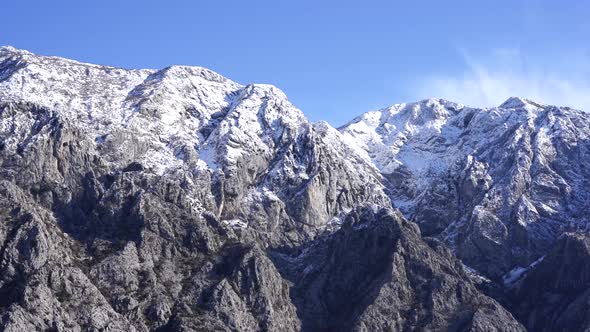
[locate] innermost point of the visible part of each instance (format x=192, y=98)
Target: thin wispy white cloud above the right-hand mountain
x=489, y=79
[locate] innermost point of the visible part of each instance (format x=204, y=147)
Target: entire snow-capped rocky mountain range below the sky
x=177, y=199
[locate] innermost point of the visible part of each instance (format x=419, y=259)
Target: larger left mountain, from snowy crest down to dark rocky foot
x=176, y=199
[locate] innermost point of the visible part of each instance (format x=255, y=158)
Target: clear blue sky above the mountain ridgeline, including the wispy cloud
x=334, y=59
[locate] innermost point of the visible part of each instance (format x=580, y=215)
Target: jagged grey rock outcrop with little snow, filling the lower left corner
x=144, y=262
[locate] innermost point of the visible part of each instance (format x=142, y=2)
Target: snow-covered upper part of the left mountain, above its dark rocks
x=248, y=140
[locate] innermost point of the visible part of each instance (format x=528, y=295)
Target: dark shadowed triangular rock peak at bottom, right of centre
x=377, y=274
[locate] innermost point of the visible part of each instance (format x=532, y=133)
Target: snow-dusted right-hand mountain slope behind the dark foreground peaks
x=498, y=185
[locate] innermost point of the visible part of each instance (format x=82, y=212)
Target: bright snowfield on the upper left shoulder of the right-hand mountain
x=381, y=135
